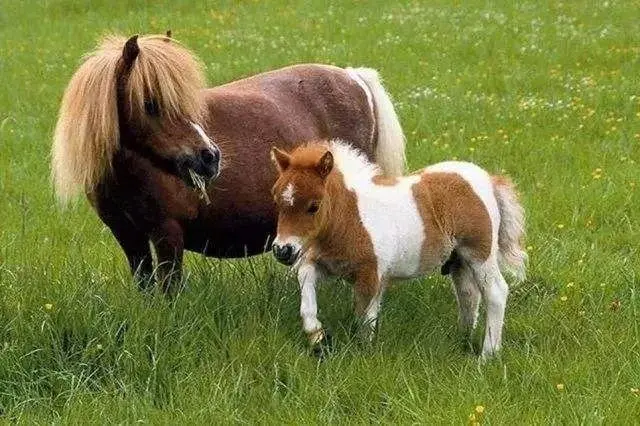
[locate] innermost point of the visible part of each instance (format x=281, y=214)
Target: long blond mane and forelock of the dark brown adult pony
x=87, y=133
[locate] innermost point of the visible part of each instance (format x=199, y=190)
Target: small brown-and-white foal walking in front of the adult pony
x=338, y=215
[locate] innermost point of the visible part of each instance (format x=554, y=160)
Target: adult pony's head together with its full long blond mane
x=140, y=94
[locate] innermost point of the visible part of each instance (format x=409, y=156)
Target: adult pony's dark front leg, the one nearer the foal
x=168, y=241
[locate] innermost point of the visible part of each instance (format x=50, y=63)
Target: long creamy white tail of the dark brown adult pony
x=390, y=154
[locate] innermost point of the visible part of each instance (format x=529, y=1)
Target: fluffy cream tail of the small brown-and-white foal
x=512, y=228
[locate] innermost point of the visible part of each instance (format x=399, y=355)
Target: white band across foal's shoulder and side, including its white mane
x=389, y=213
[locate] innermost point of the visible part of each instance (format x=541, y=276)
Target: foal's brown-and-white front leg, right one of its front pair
x=368, y=298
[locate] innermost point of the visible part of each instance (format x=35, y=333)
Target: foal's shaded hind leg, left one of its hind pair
x=467, y=295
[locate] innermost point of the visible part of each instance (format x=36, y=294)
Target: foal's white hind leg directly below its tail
x=494, y=292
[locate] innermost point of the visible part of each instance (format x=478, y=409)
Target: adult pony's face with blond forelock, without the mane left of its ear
x=161, y=110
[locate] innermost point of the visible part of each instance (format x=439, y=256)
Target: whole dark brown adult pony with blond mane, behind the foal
x=137, y=131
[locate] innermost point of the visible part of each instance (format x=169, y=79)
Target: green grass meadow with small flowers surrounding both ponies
x=548, y=92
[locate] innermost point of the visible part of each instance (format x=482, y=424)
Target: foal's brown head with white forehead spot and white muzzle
x=301, y=198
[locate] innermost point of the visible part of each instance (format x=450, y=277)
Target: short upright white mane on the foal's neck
x=352, y=163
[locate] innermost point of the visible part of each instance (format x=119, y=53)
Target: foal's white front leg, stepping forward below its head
x=308, y=275
